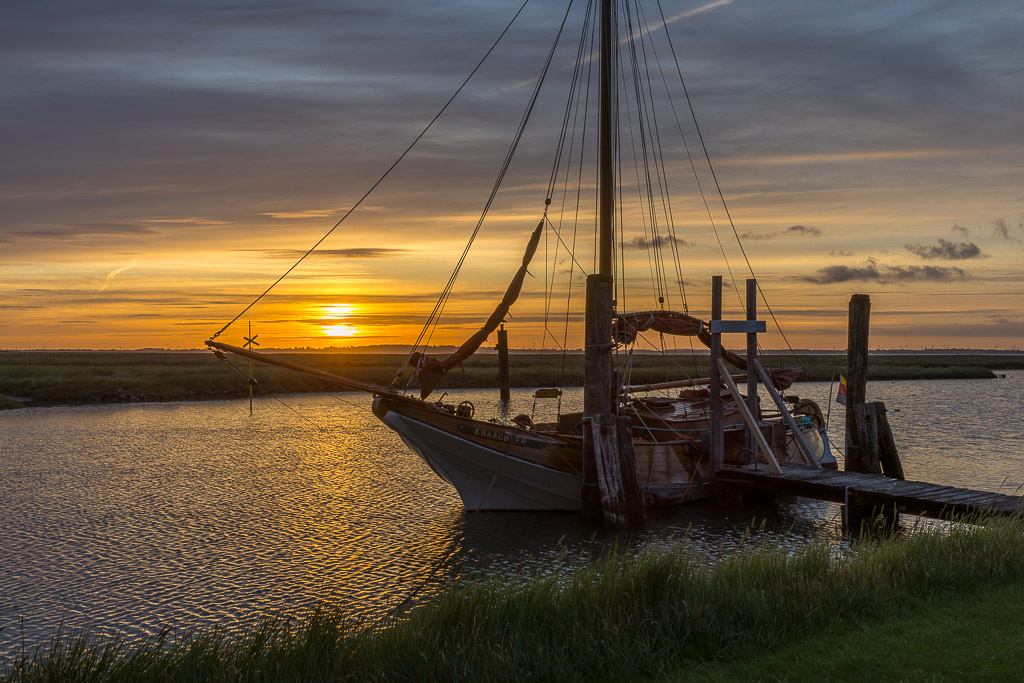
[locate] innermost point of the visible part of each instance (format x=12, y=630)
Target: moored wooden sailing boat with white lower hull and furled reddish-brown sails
x=498, y=464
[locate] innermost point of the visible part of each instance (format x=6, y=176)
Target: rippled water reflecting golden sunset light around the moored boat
x=129, y=519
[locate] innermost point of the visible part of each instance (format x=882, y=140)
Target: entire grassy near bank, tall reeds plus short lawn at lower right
x=763, y=613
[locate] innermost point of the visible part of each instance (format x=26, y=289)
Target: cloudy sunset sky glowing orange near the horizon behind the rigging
x=165, y=163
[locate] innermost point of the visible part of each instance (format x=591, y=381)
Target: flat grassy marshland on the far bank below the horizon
x=39, y=378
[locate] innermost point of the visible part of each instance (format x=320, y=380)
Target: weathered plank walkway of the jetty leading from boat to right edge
x=872, y=491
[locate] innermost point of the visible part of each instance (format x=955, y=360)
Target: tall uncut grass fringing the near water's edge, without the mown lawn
x=616, y=619
